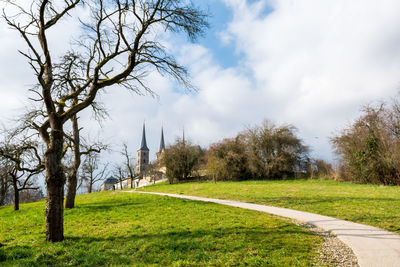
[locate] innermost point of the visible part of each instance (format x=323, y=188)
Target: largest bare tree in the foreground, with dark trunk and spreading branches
x=118, y=33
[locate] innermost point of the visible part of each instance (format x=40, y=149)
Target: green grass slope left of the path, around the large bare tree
x=117, y=228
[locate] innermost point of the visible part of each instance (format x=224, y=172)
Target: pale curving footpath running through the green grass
x=372, y=246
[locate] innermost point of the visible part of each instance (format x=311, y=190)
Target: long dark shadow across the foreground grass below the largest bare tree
x=164, y=248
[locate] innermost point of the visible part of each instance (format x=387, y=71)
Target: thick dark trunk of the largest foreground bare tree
x=55, y=188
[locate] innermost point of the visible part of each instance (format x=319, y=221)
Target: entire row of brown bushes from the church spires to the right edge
x=368, y=150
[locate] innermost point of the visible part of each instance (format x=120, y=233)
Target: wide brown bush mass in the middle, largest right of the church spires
x=262, y=152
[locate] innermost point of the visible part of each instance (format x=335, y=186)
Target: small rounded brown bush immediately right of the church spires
x=181, y=160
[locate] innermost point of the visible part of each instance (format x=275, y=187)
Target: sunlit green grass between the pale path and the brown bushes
x=368, y=204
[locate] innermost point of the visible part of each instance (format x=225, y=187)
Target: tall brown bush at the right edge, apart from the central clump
x=370, y=147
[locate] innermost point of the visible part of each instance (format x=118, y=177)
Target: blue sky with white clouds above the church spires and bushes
x=310, y=63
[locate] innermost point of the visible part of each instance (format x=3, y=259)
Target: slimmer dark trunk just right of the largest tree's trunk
x=73, y=177
